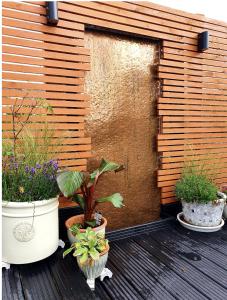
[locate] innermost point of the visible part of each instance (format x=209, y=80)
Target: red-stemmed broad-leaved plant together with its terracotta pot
x=70, y=182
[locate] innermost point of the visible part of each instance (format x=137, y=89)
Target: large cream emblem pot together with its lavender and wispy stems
x=29, y=191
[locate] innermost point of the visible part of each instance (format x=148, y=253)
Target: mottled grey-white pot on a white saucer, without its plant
x=206, y=215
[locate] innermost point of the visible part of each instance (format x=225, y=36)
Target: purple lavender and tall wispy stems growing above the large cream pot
x=29, y=173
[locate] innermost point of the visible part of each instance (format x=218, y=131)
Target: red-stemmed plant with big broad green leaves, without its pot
x=70, y=182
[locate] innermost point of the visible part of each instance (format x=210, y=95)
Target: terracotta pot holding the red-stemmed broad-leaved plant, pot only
x=79, y=220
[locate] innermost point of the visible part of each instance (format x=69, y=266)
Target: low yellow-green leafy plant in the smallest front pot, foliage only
x=88, y=246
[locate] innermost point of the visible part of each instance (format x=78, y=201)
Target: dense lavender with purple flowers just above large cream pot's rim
x=22, y=183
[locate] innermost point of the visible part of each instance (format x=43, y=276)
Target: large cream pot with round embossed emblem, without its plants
x=29, y=230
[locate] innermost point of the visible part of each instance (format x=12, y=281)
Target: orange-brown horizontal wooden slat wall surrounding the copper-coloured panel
x=192, y=105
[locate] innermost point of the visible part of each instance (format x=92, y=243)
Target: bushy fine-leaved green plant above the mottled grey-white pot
x=196, y=185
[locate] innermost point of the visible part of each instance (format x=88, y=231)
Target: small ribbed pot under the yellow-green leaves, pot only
x=93, y=271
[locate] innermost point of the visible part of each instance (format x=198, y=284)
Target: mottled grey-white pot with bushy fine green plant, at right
x=202, y=204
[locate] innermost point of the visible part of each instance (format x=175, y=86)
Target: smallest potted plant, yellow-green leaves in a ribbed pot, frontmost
x=91, y=251
